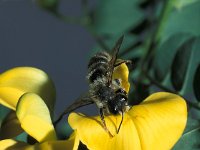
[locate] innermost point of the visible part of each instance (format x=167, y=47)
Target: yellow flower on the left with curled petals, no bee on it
x=31, y=94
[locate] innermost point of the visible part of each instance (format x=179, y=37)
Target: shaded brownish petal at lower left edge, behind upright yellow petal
x=10, y=127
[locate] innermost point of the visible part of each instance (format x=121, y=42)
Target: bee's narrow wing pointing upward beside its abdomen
x=114, y=54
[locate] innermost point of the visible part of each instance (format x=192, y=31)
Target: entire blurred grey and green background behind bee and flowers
x=162, y=38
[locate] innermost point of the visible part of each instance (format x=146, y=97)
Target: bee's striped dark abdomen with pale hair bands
x=98, y=66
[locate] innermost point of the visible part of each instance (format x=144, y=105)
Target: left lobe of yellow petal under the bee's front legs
x=92, y=134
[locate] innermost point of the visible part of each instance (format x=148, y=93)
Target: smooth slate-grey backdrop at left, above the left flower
x=30, y=36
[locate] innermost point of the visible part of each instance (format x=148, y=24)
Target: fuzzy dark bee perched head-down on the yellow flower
x=107, y=93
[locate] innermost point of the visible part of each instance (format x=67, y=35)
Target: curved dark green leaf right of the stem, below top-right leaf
x=165, y=54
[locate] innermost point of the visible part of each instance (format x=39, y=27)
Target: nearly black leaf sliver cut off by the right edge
x=196, y=83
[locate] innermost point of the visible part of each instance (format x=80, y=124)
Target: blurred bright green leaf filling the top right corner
x=185, y=20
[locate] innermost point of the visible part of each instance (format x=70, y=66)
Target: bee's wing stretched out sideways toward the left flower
x=81, y=101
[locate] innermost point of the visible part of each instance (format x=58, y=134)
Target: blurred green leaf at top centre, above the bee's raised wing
x=113, y=16
